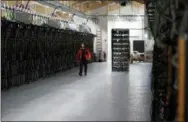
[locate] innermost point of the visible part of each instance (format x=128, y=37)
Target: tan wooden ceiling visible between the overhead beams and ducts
x=83, y=6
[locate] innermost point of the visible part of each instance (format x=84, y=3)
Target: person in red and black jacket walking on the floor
x=83, y=56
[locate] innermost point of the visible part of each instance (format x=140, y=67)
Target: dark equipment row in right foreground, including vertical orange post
x=168, y=24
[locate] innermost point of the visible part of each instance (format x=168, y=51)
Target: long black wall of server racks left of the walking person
x=31, y=52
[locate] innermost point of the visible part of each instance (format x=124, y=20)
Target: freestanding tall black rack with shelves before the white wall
x=120, y=49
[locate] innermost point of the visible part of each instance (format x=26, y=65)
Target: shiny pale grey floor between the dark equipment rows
x=100, y=96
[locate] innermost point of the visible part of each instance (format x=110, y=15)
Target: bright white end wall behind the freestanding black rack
x=123, y=23
